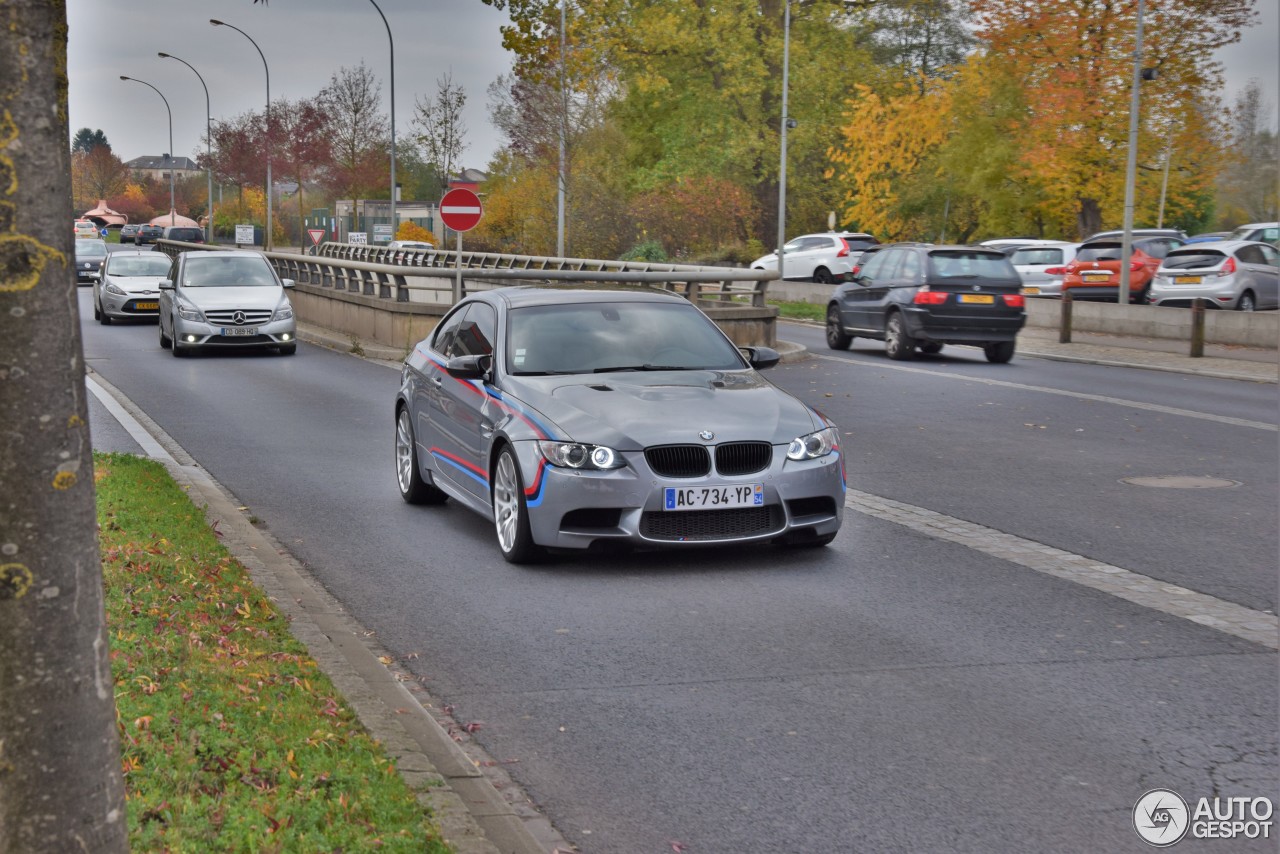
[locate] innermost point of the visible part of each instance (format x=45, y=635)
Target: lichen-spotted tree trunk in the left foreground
x=61, y=782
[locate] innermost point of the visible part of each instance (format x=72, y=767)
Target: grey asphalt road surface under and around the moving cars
x=890, y=693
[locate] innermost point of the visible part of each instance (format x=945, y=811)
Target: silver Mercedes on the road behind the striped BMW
x=228, y=299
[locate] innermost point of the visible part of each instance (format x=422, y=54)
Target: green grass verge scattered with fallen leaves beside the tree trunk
x=232, y=739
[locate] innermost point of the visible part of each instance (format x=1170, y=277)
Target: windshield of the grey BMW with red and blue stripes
x=584, y=339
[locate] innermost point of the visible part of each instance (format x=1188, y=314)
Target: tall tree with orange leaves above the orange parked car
x=1073, y=61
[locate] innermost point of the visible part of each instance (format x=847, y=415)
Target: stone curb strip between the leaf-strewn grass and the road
x=478, y=807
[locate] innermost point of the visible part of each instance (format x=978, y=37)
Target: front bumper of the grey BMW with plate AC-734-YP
x=574, y=509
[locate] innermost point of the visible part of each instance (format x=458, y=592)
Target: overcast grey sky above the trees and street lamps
x=308, y=42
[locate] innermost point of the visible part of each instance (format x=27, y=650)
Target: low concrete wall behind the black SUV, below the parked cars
x=1241, y=328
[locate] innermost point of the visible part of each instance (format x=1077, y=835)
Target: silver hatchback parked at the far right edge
x=1229, y=275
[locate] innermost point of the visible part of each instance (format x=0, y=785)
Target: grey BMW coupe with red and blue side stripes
x=611, y=418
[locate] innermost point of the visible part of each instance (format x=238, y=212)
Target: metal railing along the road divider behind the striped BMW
x=394, y=273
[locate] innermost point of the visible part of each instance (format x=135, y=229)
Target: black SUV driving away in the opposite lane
x=922, y=296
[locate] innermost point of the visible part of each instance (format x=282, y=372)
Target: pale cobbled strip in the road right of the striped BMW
x=1210, y=611
